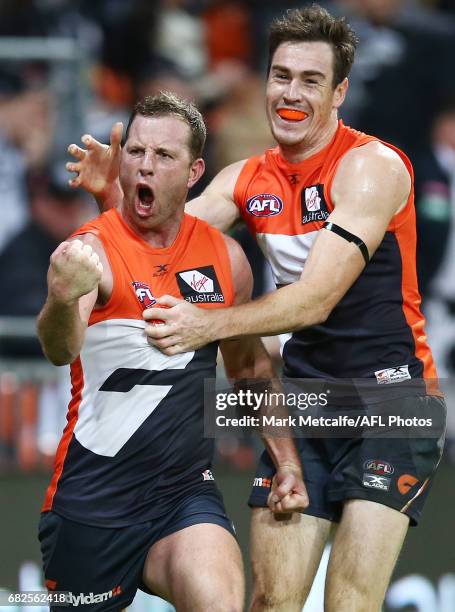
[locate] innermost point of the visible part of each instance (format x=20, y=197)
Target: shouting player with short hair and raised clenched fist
x=132, y=503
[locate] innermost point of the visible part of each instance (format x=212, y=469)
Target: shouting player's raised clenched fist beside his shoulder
x=75, y=270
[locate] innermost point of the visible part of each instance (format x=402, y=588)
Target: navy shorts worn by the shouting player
x=102, y=567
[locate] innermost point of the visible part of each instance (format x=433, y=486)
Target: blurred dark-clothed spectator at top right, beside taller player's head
x=403, y=71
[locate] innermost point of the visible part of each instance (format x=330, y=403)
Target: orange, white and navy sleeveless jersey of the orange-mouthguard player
x=377, y=329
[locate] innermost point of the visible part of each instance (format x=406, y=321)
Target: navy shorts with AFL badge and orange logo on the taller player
x=395, y=472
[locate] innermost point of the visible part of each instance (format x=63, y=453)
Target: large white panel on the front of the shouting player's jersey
x=108, y=419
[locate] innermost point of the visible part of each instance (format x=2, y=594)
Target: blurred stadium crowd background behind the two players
x=73, y=66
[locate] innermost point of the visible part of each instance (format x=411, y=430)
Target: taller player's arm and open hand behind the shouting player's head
x=97, y=168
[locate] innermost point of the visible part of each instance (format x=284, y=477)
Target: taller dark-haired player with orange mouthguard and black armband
x=332, y=209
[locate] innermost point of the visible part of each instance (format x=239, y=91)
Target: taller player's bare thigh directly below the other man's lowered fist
x=285, y=555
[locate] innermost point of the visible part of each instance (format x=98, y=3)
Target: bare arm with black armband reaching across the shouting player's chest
x=371, y=185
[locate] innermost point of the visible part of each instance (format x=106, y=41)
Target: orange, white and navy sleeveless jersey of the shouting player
x=134, y=442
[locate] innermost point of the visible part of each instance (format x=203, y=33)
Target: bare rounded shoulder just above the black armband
x=371, y=172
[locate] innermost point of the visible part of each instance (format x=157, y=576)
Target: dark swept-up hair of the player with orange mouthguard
x=315, y=24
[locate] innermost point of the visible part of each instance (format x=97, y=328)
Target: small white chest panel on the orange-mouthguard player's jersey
x=286, y=254
